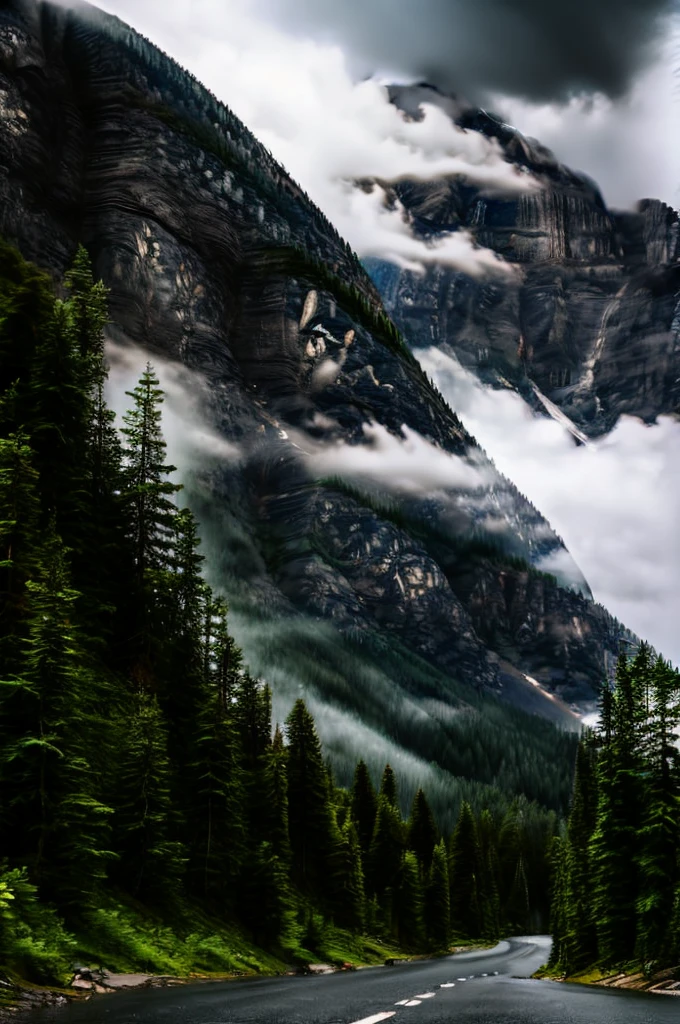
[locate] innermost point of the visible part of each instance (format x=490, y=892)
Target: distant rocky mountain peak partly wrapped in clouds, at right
x=591, y=319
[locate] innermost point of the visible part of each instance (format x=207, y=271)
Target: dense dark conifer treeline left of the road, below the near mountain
x=138, y=754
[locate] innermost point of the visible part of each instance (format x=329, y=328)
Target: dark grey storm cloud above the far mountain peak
x=540, y=50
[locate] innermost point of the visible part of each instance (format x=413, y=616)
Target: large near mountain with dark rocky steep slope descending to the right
x=402, y=613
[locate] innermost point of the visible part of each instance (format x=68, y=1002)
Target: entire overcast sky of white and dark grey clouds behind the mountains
x=597, y=80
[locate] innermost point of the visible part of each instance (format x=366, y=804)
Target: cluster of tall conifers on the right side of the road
x=617, y=892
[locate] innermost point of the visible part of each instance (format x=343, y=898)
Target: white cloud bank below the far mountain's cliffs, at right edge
x=616, y=502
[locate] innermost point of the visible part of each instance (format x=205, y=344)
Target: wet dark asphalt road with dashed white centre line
x=491, y=988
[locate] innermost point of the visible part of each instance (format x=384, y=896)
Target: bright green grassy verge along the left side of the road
x=125, y=938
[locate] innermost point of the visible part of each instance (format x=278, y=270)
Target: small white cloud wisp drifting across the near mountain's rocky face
x=407, y=464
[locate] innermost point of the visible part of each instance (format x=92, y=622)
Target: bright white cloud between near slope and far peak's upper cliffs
x=301, y=100
